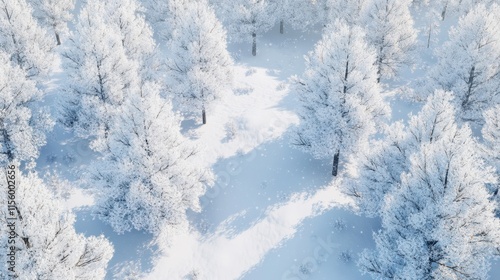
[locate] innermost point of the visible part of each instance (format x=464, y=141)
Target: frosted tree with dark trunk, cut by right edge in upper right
x=469, y=63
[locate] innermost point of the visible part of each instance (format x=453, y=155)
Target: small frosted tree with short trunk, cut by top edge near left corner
x=54, y=14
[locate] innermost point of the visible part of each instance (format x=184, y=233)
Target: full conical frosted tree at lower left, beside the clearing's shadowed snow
x=146, y=179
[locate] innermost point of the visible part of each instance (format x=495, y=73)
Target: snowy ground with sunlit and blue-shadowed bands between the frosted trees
x=274, y=212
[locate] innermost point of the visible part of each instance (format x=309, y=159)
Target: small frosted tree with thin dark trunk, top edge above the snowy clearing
x=245, y=20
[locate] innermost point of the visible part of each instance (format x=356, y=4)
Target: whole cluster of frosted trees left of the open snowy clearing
x=122, y=96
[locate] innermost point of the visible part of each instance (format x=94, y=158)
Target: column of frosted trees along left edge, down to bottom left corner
x=44, y=239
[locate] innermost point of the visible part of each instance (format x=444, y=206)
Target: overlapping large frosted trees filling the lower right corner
x=428, y=181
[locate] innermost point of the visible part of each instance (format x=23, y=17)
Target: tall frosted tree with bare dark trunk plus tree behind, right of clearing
x=343, y=101
